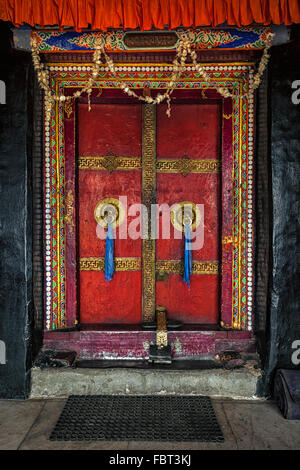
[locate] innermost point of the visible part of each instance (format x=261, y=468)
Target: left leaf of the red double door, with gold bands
x=108, y=129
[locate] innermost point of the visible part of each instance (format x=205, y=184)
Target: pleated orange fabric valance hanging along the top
x=145, y=14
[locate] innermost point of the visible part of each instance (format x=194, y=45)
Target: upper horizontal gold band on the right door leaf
x=186, y=165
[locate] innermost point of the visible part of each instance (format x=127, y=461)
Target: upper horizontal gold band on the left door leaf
x=108, y=163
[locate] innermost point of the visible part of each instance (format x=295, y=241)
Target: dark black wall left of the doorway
x=16, y=306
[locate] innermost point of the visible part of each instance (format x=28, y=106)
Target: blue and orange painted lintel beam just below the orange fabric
x=115, y=41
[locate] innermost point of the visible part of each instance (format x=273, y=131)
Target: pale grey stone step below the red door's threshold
x=237, y=383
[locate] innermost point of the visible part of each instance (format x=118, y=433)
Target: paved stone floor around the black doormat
x=246, y=424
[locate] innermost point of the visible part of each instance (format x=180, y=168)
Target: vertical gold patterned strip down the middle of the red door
x=148, y=197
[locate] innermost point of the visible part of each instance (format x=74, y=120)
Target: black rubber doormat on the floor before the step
x=137, y=418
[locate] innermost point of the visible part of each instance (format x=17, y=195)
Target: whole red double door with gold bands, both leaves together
x=132, y=156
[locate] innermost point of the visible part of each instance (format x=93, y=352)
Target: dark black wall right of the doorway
x=283, y=317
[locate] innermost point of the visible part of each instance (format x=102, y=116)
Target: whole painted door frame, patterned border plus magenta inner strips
x=237, y=184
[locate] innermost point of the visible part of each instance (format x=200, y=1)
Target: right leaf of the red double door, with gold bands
x=191, y=135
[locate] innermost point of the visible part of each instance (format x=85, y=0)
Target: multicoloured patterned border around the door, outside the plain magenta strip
x=235, y=76
